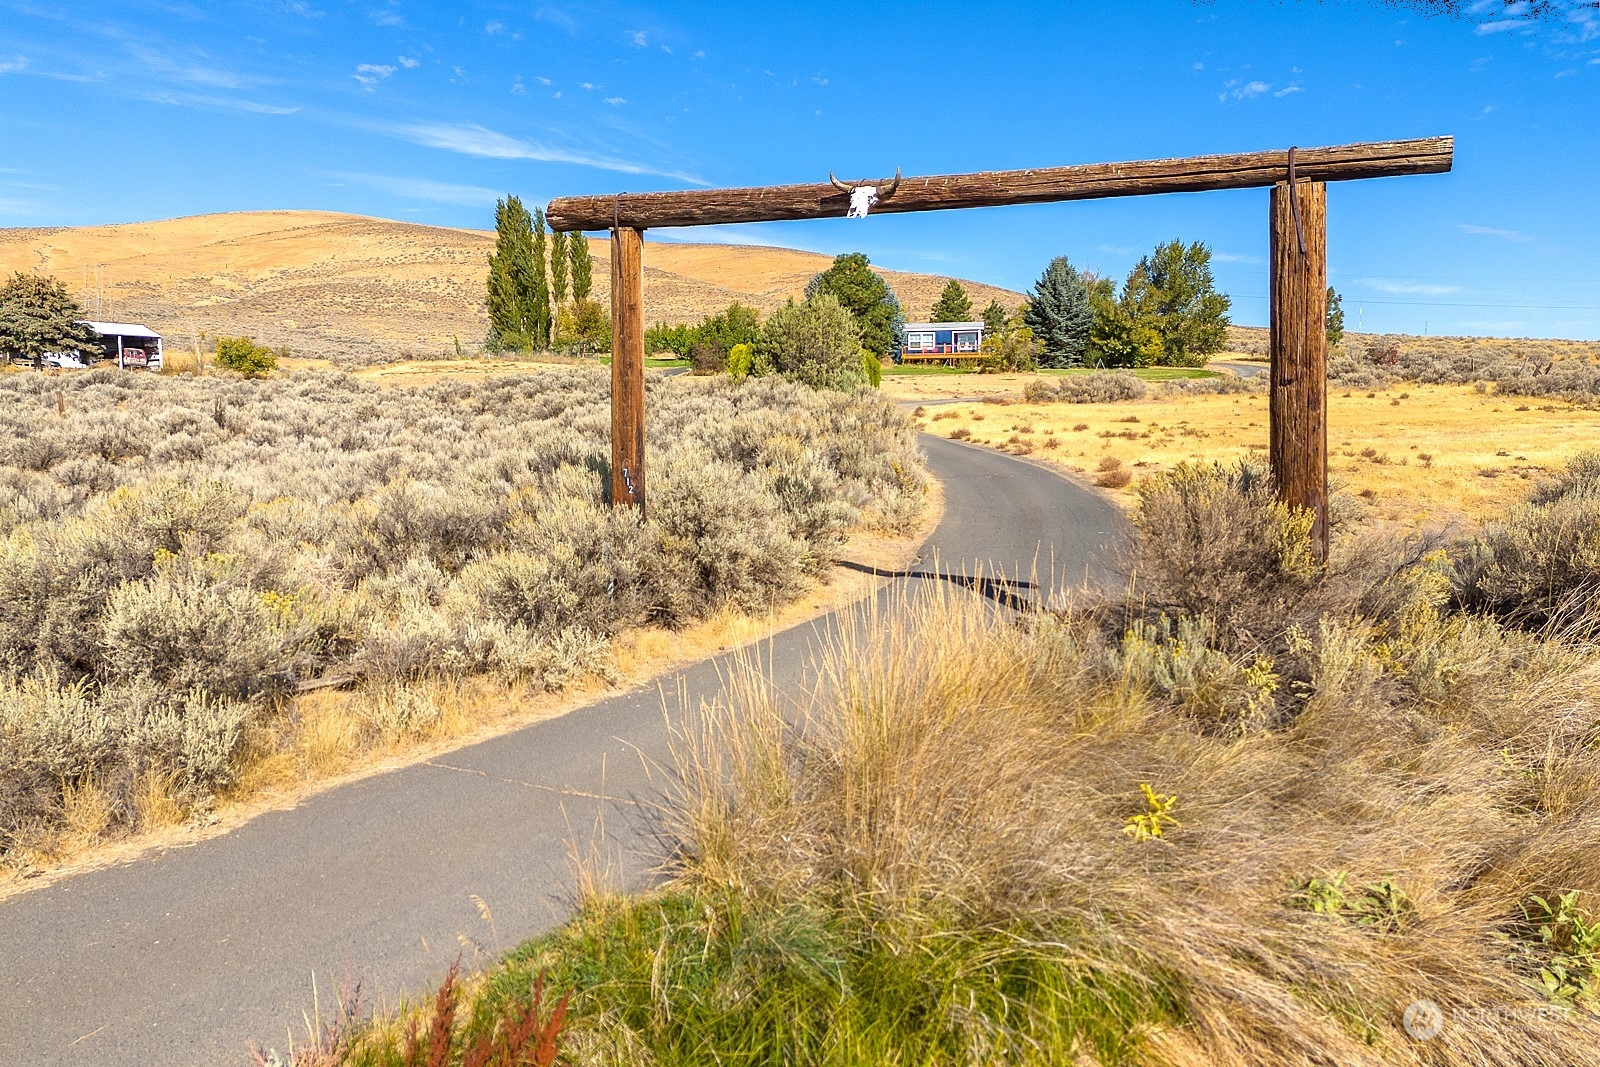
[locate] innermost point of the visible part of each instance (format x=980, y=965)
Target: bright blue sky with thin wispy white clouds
x=116, y=113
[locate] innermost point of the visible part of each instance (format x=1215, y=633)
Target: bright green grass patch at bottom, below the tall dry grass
x=690, y=978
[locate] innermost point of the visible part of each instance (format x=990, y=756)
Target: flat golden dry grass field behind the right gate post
x=1412, y=454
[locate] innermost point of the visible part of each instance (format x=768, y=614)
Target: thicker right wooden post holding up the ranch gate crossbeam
x=1298, y=407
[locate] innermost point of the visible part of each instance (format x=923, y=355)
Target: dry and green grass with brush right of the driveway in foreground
x=1231, y=825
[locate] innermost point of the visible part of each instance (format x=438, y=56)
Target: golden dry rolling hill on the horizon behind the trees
x=362, y=290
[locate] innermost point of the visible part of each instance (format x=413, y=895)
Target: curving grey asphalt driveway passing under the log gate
x=185, y=957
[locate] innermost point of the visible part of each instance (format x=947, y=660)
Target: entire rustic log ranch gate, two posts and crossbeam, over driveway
x=1298, y=409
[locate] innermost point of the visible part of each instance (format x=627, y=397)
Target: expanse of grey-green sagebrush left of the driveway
x=182, y=551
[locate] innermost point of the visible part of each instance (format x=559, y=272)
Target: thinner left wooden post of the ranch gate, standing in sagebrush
x=628, y=367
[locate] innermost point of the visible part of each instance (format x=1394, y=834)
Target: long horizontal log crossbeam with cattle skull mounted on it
x=993, y=190
